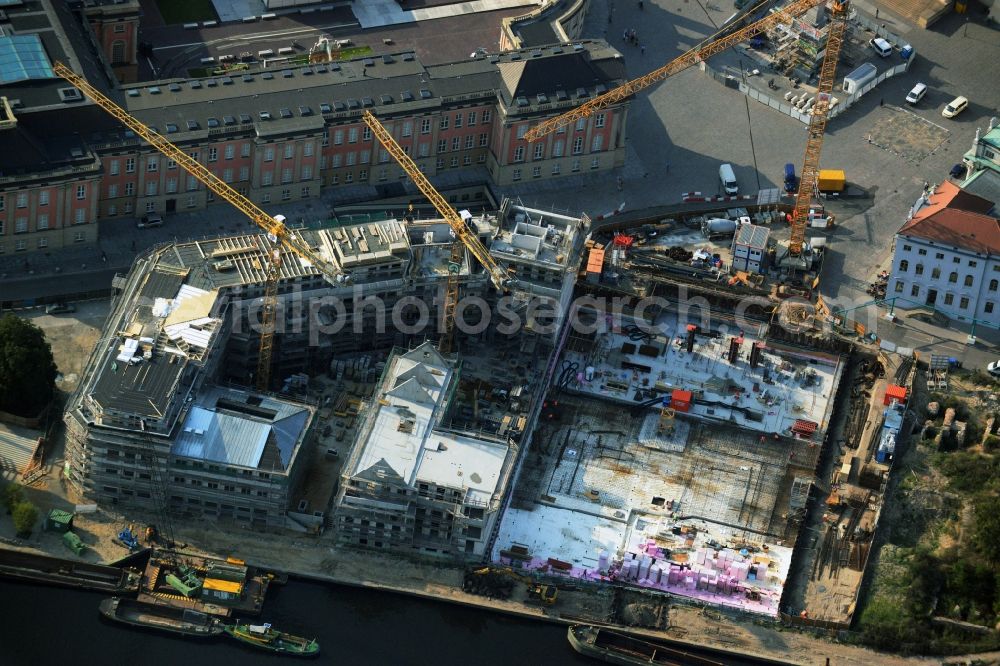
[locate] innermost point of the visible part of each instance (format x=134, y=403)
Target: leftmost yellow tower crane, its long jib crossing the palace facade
x=279, y=236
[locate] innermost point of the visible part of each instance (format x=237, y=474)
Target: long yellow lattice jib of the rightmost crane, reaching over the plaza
x=716, y=43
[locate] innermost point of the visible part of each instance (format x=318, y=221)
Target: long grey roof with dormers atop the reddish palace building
x=344, y=87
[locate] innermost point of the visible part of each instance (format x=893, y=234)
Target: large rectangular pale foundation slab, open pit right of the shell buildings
x=674, y=457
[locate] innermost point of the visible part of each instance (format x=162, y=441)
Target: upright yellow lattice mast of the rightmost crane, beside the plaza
x=817, y=127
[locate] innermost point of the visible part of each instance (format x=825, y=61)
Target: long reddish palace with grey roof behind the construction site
x=470, y=115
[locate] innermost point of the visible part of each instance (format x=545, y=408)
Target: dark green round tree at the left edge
x=27, y=371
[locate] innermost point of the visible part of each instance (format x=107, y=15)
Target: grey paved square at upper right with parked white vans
x=681, y=130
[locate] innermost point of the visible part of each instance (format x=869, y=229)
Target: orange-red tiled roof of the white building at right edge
x=957, y=218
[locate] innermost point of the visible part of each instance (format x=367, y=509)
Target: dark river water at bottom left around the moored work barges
x=42, y=625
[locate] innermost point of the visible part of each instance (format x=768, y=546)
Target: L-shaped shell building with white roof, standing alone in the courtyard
x=410, y=484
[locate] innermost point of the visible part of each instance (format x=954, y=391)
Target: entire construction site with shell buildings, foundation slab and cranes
x=646, y=445
